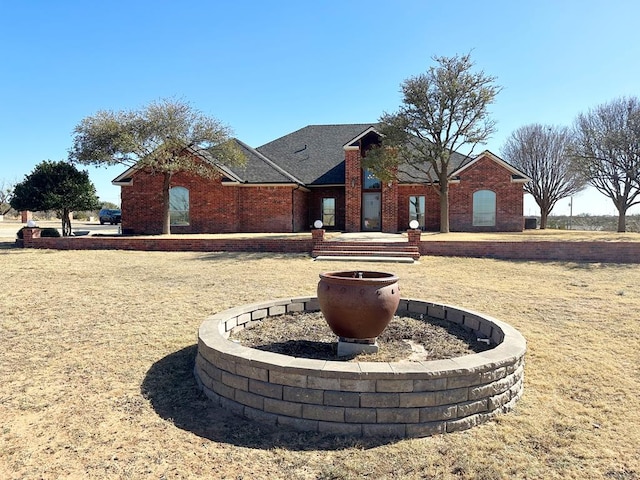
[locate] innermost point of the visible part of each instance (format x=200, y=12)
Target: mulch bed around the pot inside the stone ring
x=407, y=338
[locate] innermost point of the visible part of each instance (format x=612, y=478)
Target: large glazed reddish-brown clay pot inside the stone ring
x=358, y=304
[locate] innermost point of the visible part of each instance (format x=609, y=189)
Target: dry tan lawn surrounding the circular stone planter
x=97, y=354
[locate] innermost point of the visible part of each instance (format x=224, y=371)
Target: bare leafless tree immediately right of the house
x=542, y=153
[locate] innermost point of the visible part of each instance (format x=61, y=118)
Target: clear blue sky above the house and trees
x=267, y=68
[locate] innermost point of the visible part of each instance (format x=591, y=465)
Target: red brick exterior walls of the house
x=225, y=208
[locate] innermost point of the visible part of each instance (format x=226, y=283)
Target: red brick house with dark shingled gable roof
x=315, y=173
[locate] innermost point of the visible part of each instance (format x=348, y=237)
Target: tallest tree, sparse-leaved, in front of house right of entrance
x=443, y=111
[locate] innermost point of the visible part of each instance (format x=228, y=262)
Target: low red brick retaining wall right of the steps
x=582, y=251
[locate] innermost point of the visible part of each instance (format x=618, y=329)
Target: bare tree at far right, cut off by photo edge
x=607, y=152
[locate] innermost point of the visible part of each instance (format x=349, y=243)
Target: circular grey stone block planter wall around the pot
x=399, y=399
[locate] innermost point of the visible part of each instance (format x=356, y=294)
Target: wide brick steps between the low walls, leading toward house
x=372, y=251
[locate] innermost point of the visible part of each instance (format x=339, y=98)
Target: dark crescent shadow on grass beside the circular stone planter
x=171, y=388
